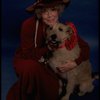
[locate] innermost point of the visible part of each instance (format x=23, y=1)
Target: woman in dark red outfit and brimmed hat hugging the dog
x=36, y=81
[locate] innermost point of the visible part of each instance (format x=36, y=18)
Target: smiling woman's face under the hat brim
x=50, y=16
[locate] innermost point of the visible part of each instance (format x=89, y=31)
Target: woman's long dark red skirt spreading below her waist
x=35, y=82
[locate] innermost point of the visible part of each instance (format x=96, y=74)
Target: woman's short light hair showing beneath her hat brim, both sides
x=59, y=8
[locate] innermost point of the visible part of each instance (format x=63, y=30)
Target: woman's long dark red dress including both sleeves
x=35, y=80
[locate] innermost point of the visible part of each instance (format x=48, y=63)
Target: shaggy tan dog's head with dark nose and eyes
x=58, y=34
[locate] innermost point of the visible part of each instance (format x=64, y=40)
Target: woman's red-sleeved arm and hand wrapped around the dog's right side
x=83, y=56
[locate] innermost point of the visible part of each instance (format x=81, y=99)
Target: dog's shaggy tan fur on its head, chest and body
x=80, y=75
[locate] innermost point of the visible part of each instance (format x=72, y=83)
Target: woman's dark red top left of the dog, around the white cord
x=27, y=49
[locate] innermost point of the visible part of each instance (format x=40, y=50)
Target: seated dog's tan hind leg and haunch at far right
x=86, y=83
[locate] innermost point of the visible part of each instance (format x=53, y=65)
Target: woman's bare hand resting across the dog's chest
x=68, y=66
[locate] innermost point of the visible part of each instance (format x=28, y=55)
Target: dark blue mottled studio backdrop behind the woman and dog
x=83, y=13
